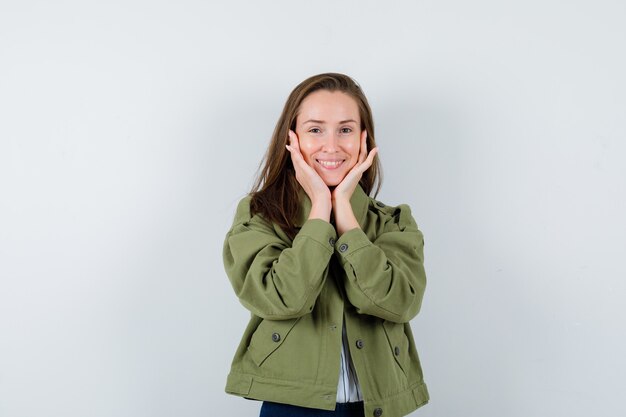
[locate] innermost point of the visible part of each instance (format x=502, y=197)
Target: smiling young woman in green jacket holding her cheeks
x=331, y=275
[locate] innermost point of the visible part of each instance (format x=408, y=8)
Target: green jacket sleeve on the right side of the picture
x=386, y=277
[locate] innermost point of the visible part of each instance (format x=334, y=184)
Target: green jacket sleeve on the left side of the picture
x=272, y=277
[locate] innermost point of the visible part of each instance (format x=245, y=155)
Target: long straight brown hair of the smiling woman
x=275, y=191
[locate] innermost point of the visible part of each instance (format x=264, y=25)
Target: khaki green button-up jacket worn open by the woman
x=299, y=293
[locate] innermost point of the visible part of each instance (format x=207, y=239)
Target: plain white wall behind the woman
x=130, y=129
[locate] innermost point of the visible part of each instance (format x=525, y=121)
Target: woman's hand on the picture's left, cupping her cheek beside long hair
x=311, y=182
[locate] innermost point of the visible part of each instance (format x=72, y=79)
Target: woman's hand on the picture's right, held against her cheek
x=344, y=216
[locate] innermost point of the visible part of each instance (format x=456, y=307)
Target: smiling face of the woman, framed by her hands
x=329, y=132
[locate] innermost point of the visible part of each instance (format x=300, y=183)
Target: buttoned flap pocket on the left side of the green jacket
x=268, y=337
